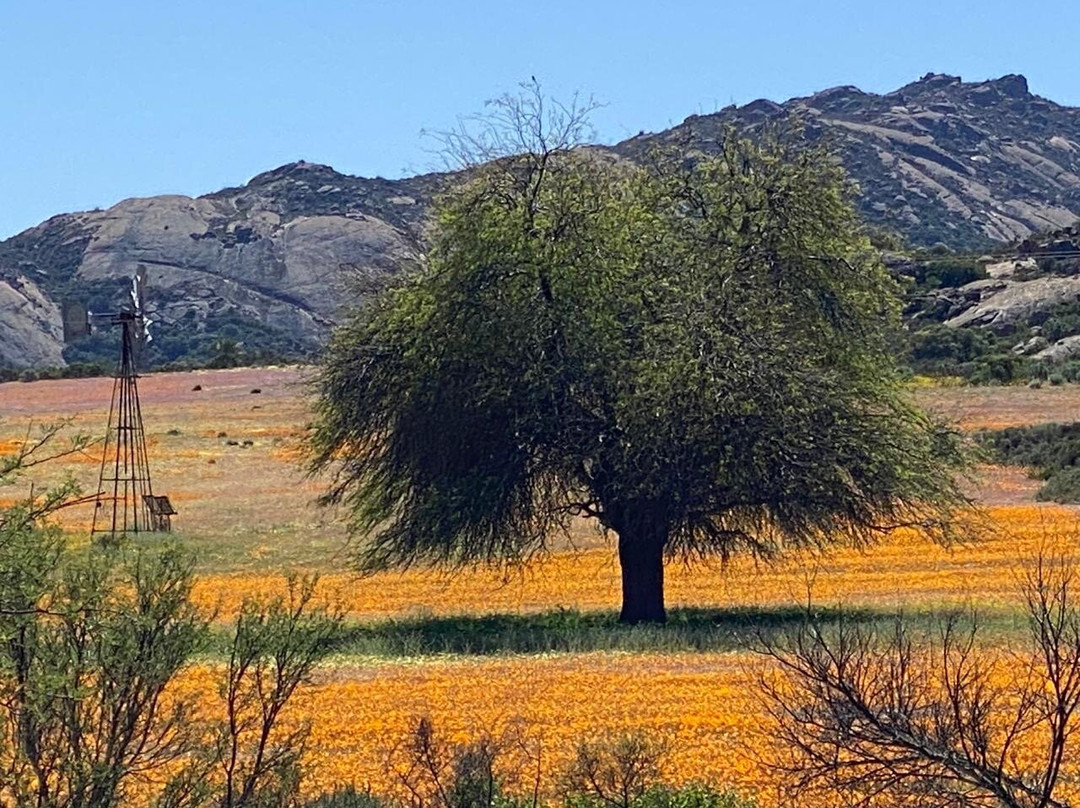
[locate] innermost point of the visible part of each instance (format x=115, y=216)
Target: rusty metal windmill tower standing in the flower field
x=126, y=503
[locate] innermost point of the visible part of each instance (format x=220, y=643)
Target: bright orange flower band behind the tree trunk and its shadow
x=906, y=570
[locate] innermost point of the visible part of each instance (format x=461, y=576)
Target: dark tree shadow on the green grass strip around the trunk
x=571, y=631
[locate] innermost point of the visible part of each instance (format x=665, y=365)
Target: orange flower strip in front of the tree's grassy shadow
x=703, y=705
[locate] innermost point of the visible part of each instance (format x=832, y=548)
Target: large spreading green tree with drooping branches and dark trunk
x=693, y=352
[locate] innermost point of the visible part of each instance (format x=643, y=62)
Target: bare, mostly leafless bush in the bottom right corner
x=865, y=719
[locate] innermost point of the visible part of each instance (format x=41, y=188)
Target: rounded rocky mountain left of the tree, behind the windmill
x=269, y=263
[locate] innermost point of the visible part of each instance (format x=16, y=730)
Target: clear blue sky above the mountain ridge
x=103, y=101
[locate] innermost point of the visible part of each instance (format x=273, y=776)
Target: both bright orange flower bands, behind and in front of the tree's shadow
x=704, y=704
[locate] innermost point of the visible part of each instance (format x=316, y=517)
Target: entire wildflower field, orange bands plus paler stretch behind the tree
x=228, y=459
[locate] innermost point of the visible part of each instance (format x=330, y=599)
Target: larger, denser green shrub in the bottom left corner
x=89, y=648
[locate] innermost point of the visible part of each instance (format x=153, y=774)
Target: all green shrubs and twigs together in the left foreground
x=90, y=643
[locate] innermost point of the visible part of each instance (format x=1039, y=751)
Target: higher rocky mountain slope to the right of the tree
x=940, y=160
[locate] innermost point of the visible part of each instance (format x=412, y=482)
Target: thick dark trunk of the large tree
x=642, y=559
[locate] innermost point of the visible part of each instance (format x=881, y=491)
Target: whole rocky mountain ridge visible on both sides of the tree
x=271, y=265
